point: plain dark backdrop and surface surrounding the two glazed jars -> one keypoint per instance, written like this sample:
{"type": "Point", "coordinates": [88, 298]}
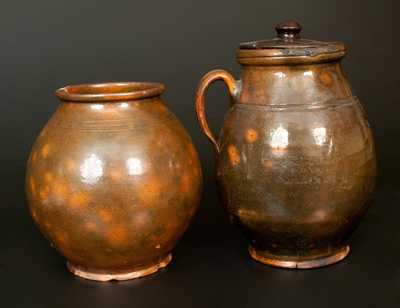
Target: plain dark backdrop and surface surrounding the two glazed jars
{"type": "Point", "coordinates": [49, 44]}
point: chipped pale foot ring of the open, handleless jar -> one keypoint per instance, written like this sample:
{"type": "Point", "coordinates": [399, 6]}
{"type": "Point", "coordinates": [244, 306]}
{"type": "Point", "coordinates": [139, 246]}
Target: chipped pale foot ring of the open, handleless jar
{"type": "Point", "coordinates": [107, 276]}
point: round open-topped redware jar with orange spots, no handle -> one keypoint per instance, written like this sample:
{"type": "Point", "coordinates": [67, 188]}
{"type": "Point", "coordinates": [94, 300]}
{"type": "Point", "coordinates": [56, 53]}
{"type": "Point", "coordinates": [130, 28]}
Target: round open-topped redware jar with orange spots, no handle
{"type": "Point", "coordinates": [113, 180]}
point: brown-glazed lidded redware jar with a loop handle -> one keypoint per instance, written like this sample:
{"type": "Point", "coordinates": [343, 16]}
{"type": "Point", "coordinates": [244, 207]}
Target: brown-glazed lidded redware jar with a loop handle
{"type": "Point", "coordinates": [295, 157]}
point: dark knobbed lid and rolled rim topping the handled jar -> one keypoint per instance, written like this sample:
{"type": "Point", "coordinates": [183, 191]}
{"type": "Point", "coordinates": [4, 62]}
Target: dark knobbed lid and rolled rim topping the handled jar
{"type": "Point", "coordinates": [288, 47]}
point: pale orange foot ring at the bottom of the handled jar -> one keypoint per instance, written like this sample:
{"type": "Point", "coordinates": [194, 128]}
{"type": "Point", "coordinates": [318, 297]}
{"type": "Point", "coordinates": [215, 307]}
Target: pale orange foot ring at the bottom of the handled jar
{"type": "Point", "coordinates": [300, 262]}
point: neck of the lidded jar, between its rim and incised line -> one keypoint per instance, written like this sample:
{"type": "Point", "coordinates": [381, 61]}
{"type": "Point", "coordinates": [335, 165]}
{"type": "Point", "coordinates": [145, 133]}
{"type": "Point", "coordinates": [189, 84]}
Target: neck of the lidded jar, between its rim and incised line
{"type": "Point", "coordinates": [293, 84]}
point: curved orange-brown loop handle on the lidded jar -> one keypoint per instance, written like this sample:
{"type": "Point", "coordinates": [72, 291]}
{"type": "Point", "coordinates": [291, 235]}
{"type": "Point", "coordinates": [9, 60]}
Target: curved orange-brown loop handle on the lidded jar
{"type": "Point", "coordinates": [205, 82]}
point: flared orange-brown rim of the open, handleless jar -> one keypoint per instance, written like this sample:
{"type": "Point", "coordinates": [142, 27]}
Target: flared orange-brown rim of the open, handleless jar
{"type": "Point", "coordinates": [109, 91]}
